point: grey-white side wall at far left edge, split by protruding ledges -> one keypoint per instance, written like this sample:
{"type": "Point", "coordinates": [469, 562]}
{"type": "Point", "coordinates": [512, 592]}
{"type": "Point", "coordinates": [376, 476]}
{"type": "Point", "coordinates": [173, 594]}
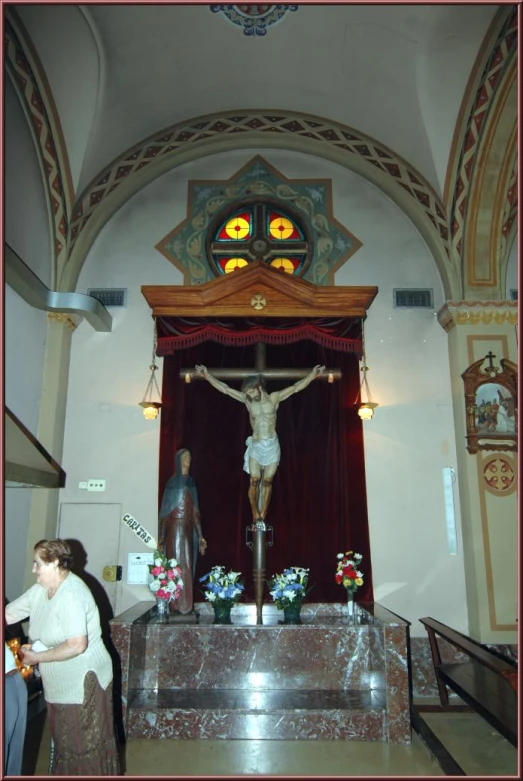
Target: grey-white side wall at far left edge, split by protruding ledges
{"type": "Point", "coordinates": [26, 230]}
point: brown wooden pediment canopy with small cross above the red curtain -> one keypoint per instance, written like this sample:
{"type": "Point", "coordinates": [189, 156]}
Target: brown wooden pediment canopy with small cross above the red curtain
{"type": "Point", "coordinates": [258, 290]}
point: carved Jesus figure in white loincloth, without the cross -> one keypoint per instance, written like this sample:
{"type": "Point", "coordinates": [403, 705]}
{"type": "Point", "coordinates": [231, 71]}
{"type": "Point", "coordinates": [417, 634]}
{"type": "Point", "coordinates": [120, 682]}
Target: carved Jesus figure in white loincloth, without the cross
{"type": "Point", "coordinates": [263, 448]}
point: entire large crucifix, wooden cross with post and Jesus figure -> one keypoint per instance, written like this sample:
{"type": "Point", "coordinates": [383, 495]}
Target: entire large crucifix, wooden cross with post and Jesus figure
{"type": "Point", "coordinates": [263, 452]}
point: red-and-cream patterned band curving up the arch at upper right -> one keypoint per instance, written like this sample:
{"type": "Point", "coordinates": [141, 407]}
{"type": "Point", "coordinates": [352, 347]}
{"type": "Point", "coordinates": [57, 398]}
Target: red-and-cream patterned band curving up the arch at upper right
{"type": "Point", "coordinates": [500, 57]}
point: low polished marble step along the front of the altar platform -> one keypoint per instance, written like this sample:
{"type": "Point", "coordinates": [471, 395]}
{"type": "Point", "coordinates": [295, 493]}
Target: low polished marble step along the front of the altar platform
{"type": "Point", "coordinates": [237, 714]}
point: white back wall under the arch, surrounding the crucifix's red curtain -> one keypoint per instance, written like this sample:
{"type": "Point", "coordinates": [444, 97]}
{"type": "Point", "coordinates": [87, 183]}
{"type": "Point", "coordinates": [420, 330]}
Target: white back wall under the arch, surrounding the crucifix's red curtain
{"type": "Point", "coordinates": [407, 444]}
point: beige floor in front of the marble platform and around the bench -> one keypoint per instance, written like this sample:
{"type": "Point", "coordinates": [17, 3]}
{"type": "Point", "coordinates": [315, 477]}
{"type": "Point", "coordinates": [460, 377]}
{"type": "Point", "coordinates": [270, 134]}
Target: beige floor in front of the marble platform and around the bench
{"type": "Point", "coordinates": [475, 746]}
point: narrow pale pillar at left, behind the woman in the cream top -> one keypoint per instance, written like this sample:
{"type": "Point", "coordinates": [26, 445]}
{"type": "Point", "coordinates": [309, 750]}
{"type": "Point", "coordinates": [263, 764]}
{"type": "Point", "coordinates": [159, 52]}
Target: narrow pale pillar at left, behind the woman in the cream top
{"type": "Point", "coordinates": [43, 522]}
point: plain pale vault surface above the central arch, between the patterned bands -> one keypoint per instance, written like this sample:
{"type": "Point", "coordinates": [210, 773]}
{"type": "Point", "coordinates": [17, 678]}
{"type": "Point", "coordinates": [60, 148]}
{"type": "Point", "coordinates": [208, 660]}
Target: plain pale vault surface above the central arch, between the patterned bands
{"type": "Point", "coordinates": [120, 73]}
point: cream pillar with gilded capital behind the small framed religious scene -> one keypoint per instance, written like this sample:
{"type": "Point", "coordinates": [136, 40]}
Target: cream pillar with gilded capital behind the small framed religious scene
{"type": "Point", "coordinates": [489, 511]}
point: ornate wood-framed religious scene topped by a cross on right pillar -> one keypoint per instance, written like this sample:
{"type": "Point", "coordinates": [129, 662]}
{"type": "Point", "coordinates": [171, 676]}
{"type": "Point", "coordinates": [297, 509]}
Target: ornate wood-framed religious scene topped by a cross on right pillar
{"type": "Point", "coordinates": [491, 400]}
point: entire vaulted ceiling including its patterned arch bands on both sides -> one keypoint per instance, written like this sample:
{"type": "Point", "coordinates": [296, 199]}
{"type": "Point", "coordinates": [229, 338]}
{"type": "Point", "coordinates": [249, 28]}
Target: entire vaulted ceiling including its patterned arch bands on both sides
{"type": "Point", "coordinates": [419, 99]}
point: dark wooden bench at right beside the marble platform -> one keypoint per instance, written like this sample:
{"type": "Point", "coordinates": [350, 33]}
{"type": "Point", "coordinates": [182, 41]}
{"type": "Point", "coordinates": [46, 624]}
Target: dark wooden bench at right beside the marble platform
{"type": "Point", "coordinates": [486, 683]}
